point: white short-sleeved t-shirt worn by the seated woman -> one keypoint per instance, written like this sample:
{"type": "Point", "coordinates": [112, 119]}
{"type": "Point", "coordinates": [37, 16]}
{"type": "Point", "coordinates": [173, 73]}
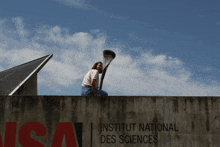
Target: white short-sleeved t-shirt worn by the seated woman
{"type": "Point", "coordinates": [92, 74]}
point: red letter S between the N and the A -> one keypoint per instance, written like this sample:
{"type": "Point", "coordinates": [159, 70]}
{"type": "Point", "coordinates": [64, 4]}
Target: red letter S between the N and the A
{"type": "Point", "coordinates": [24, 134]}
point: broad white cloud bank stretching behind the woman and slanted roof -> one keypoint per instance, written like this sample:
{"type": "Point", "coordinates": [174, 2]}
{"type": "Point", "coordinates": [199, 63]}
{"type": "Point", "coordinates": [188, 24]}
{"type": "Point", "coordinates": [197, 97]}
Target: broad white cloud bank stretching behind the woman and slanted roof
{"type": "Point", "coordinates": [74, 55]}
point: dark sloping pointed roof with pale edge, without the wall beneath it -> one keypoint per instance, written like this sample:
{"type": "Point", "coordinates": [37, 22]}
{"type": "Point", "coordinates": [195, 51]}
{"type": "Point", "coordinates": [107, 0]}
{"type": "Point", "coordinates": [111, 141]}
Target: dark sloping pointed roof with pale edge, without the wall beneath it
{"type": "Point", "coordinates": [12, 79]}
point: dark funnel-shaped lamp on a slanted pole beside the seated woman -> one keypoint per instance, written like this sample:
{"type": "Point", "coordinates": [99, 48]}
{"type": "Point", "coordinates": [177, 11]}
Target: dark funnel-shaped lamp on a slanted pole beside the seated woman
{"type": "Point", "coordinates": [108, 56]}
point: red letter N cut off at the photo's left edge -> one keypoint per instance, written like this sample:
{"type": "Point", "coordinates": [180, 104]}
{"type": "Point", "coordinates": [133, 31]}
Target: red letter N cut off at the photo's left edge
{"type": "Point", "coordinates": [10, 134]}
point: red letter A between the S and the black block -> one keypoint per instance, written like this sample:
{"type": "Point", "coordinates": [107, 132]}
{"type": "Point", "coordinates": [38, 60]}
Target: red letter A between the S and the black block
{"type": "Point", "coordinates": [62, 129]}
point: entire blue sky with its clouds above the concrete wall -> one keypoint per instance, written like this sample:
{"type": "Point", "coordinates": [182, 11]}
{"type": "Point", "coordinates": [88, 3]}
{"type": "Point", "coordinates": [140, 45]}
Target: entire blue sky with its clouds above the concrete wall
{"type": "Point", "coordinates": [168, 48]}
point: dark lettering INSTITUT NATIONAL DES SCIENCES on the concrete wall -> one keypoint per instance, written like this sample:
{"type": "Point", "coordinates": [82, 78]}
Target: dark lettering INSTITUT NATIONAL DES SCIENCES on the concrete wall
{"type": "Point", "coordinates": [129, 133]}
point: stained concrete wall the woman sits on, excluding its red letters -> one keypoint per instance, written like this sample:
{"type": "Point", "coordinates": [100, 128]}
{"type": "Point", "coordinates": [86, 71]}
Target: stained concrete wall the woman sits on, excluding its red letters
{"type": "Point", "coordinates": [119, 121]}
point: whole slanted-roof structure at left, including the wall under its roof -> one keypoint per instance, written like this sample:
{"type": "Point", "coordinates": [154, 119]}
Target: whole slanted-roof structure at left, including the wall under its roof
{"type": "Point", "coordinates": [22, 79]}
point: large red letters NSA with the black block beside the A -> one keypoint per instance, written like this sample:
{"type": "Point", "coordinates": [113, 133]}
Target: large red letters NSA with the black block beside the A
{"type": "Point", "coordinates": [72, 138]}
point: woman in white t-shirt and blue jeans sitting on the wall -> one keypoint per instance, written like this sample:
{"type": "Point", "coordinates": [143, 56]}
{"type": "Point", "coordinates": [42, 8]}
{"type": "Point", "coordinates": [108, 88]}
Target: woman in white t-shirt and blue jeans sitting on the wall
{"type": "Point", "coordinates": [91, 81]}
